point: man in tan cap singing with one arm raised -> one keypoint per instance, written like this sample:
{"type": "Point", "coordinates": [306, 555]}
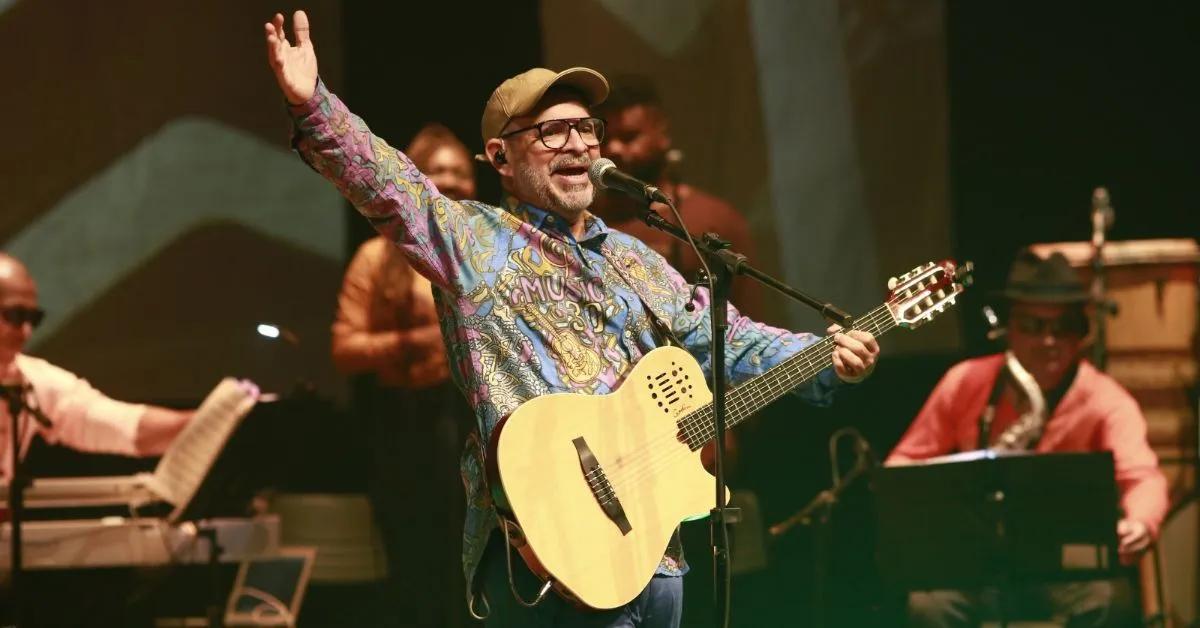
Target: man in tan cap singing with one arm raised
{"type": "Point", "coordinates": [536, 296]}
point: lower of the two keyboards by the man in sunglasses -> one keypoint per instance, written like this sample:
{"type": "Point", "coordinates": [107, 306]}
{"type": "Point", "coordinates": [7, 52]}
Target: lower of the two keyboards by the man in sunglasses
{"type": "Point", "coordinates": [123, 542]}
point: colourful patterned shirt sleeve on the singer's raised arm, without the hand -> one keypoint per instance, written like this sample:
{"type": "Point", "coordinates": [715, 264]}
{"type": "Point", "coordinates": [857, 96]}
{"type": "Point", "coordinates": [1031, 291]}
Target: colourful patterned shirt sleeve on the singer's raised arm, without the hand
{"type": "Point", "coordinates": [436, 234]}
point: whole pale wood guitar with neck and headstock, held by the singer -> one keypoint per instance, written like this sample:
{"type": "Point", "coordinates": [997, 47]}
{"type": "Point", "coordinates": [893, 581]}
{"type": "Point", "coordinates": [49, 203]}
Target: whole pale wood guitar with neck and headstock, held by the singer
{"type": "Point", "coordinates": [591, 488]}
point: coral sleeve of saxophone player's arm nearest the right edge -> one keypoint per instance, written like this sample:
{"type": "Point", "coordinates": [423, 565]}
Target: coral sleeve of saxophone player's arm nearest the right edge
{"type": "Point", "coordinates": [1144, 492]}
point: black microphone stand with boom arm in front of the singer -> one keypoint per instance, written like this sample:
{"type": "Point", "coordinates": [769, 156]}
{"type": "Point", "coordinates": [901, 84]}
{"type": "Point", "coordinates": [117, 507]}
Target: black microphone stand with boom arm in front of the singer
{"type": "Point", "coordinates": [723, 266]}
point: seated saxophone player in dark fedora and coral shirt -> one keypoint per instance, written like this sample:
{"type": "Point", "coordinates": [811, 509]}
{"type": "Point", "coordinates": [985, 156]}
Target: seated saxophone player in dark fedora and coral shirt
{"type": "Point", "coordinates": [980, 403]}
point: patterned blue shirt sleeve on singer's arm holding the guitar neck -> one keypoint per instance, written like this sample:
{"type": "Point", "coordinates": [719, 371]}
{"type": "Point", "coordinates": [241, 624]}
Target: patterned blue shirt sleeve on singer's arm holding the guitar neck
{"type": "Point", "coordinates": [752, 349]}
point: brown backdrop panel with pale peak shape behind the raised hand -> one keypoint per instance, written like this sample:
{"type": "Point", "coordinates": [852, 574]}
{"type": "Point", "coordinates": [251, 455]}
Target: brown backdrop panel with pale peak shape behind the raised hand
{"type": "Point", "coordinates": [148, 184]}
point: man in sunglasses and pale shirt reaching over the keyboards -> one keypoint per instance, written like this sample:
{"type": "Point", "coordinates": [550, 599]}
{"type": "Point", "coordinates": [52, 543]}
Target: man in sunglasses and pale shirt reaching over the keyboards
{"type": "Point", "coordinates": [81, 417]}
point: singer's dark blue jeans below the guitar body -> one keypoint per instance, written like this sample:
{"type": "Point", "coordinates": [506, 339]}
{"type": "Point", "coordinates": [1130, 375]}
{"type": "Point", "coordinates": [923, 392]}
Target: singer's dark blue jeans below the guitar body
{"type": "Point", "coordinates": [659, 606]}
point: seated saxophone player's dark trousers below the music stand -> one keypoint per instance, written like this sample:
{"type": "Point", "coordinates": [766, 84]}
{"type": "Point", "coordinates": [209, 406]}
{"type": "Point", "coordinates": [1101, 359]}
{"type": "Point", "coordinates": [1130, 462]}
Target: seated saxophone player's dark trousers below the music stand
{"type": "Point", "coordinates": [1078, 605]}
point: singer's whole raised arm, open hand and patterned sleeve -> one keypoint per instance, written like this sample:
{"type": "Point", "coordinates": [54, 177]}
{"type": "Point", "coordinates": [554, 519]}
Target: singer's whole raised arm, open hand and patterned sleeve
{"type": "Point", "coordinates": [381, 182]}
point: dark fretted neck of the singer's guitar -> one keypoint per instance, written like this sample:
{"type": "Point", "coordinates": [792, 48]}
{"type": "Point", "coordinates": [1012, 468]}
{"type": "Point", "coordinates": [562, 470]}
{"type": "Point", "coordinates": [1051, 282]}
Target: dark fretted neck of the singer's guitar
{"type": "Point", "coordinates": [749, 398]}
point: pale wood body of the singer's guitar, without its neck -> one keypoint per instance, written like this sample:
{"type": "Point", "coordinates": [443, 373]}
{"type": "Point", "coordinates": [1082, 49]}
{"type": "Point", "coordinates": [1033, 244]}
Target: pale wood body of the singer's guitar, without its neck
{"type": "Point", "coordinates": [647, 465]}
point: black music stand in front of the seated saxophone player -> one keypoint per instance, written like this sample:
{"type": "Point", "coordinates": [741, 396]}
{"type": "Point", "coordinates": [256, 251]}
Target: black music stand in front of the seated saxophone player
{"type": "Point", "coordinates": [986, 519]}
